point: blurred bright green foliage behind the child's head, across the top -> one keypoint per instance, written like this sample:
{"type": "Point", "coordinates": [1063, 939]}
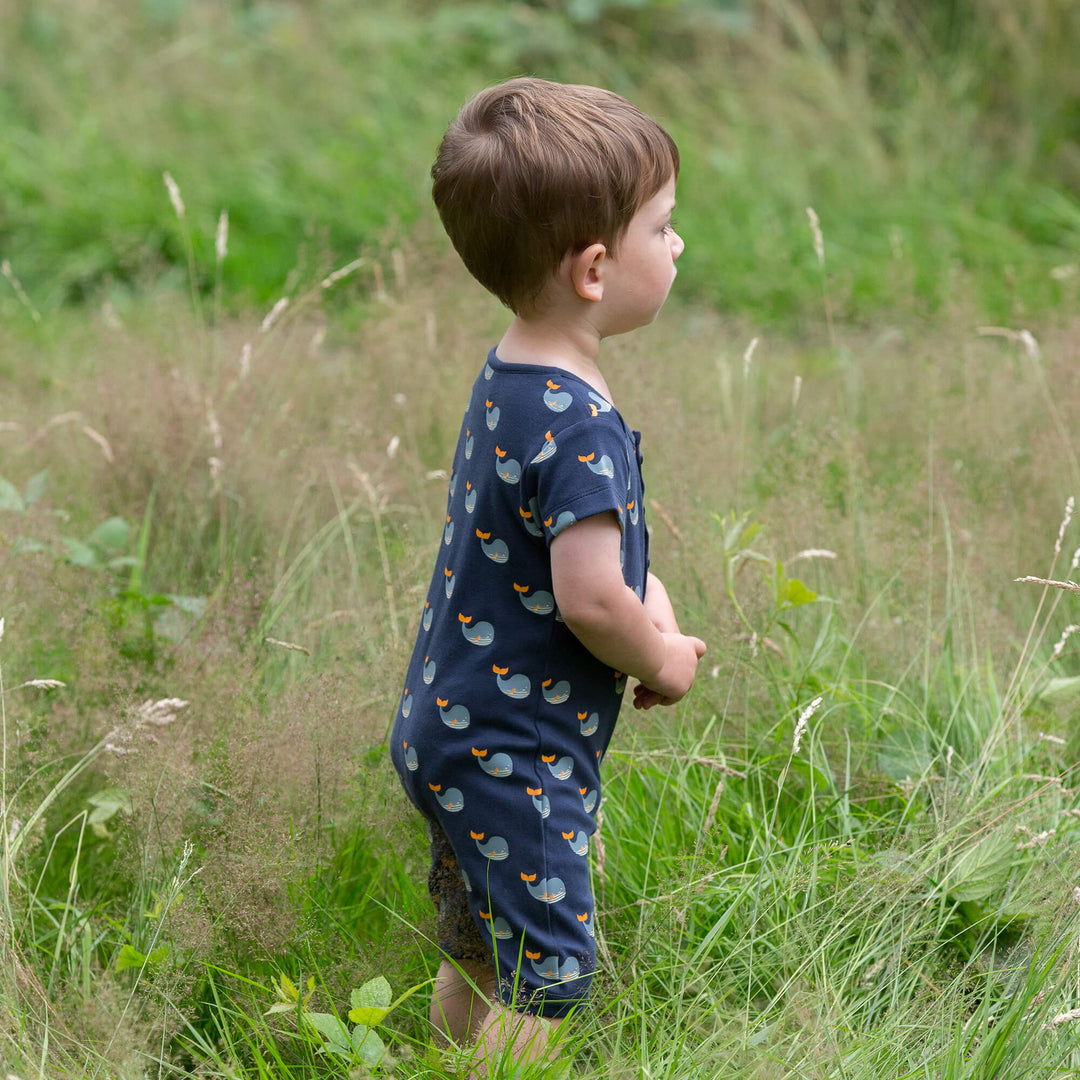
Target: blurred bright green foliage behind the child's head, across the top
{"type": "Point", "coordinates": [938, 140]}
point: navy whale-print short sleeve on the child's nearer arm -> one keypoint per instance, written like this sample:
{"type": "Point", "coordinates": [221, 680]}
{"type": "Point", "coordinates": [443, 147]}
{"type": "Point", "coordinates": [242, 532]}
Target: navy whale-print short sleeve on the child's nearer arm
{"type": "Point", "coordinates": [580, 471]}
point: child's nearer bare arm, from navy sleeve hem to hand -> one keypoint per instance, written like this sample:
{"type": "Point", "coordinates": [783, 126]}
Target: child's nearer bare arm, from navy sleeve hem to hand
{"type": "Point", "coordinates": [609, 618]}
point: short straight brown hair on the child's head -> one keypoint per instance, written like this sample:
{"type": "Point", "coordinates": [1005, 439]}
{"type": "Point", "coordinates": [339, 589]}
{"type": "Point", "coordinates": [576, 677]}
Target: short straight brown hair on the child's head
{"type": "Point", "coordinates": [533, 170]}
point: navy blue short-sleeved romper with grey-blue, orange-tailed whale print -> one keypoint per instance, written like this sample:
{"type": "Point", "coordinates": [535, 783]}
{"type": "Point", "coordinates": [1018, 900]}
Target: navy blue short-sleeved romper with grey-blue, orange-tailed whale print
{"type": "Point", "coordinates": [506, 717]}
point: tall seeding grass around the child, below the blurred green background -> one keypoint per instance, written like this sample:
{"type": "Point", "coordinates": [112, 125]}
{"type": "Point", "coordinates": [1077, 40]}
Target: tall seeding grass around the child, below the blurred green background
{"type": "Point", "coordinates": [890, 894]}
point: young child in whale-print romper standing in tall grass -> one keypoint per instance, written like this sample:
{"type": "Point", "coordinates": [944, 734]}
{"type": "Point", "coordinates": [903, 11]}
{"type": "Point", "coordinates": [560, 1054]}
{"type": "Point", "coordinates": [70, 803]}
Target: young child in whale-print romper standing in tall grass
{"type": "Point", "coordinates": [559, 200]}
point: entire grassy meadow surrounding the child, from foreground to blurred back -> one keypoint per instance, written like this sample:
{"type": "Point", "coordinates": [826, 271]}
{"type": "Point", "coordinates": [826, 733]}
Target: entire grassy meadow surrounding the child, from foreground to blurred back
{"type": "Point", "coordinates": [854, 850]}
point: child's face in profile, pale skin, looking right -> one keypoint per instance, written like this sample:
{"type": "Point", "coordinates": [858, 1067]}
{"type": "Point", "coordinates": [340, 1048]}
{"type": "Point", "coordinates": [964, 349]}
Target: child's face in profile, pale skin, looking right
{"type": "Point", "coordinates": [638, 280]}
